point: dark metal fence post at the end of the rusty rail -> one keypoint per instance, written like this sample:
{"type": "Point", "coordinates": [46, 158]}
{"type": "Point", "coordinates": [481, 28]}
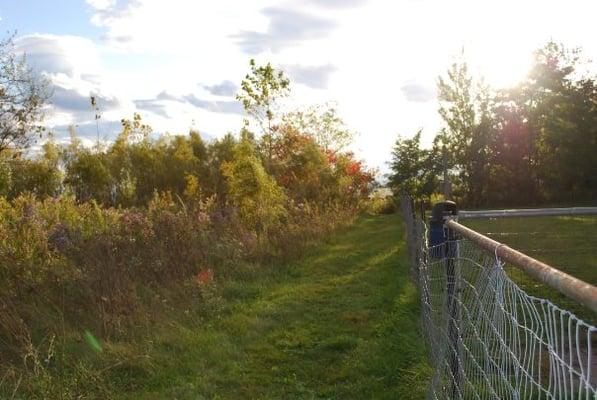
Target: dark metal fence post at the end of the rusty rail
{"type": "Point", "coordinates": [443, 235]}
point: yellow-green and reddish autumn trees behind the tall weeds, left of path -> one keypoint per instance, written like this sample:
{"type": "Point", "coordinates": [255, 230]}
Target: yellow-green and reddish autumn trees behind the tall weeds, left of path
{"type": "Point", "coordinates": [296, 157]}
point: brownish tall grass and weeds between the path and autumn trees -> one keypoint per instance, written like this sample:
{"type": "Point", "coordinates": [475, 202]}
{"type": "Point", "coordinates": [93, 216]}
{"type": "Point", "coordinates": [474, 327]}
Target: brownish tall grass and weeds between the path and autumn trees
{"type": "Point", "coordinates": [71, 273]}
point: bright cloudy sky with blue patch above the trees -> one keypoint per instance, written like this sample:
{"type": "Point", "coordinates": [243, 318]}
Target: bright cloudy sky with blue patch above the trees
{"type": "Point", "coordinates": [179, 63]}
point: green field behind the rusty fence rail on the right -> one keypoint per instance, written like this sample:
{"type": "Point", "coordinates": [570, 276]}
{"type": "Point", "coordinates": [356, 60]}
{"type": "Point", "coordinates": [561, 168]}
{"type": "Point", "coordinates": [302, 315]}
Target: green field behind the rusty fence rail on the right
{"type": "Point", "coordinates": [566, 243]}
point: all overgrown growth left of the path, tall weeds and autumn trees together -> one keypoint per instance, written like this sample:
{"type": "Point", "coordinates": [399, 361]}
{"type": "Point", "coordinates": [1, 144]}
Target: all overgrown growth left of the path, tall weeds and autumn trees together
{"type": "Point", "coordinates": [98, 243]}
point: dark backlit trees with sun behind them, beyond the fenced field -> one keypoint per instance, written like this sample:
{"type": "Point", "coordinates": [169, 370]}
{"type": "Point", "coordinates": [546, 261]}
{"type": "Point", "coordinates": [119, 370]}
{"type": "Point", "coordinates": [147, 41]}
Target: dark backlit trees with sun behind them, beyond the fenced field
{"type": "Point", "coordinates": [531, 144]}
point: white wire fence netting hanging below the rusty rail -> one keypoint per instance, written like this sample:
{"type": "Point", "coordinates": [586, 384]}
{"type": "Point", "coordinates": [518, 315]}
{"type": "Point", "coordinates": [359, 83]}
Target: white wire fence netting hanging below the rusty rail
{"type": "Point", "coordinates": [489, 339]}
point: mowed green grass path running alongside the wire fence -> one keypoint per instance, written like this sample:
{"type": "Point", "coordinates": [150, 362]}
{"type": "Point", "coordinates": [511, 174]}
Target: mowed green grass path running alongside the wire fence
{"type": "Point", "coordinates": [343, 323]}
